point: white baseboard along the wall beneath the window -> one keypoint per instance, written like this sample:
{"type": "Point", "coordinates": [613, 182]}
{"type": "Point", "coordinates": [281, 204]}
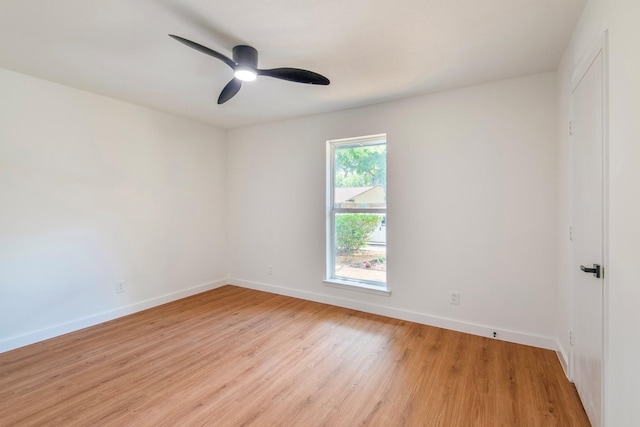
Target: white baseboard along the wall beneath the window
{"type": "Point", "coordinates": [402, 314]}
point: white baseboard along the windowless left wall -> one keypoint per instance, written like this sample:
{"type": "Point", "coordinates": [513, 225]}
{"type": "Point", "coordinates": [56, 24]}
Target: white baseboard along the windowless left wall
{"type": "Point", "coordinates": [94, 319]}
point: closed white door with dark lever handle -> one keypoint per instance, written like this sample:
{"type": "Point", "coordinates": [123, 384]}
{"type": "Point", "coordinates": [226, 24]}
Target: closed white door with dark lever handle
{"type": "Point", "coordinates": [587, 142]}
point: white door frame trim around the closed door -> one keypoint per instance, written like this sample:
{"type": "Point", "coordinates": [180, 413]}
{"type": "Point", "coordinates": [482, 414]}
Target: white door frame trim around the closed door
{"type": "Point", "coordinates": [600, 46]}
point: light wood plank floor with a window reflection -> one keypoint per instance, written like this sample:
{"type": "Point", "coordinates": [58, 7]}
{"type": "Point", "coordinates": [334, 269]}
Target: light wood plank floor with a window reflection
{"type": "Point", "coordinates": [236, 357]}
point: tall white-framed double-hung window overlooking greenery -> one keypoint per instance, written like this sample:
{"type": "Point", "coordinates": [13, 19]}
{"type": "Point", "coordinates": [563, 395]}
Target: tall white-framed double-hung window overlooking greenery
{"type": "Point", "coordinates": [356, 212]}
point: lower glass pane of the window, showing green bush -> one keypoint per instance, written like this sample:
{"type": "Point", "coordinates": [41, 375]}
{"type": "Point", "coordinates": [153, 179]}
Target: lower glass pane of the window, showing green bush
{"type": "Point", "coordinates": [360, 247]}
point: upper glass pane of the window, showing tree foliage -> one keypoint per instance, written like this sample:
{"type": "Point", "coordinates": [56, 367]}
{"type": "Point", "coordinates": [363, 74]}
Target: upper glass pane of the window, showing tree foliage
{"type": "Point", "coordinates": [360, 176]}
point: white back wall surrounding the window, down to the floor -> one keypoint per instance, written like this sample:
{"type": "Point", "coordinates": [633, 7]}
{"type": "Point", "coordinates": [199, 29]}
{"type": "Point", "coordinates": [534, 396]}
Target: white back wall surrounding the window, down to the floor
{"type": "Point", "coordinates": [472, 178]}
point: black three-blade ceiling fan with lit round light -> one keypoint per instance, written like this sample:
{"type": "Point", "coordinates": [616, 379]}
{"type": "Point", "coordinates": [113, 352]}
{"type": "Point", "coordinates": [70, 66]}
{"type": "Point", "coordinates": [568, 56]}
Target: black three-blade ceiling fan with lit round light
{"type": "Point", "coordinates": [245, 67]}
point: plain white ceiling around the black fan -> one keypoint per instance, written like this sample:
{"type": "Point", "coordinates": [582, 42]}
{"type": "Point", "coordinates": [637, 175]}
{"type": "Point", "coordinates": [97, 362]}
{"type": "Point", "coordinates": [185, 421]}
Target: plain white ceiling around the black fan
{"type": "Point", "coordinates": [371, 50]}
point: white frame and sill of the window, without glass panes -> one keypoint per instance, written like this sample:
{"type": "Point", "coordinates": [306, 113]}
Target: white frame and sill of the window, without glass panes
{"type": "Point", "coordinates": [331, 279]}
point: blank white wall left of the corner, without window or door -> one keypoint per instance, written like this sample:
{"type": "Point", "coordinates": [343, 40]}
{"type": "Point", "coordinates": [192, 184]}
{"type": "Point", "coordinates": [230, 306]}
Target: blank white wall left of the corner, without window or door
{"type": "Point", "coordinates": [94, 191]}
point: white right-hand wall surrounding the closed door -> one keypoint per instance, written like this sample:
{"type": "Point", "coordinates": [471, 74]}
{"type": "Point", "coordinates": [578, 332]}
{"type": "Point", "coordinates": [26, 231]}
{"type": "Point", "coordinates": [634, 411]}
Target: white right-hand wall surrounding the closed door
{"type": "Point", "coordinates": [622, 376]}
